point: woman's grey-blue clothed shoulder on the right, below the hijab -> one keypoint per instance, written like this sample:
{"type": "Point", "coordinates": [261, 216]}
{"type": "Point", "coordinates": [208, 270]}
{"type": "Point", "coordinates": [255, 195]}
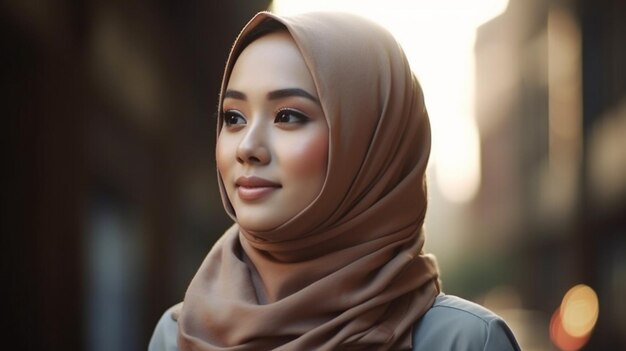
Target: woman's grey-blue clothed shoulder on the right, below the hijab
{"type": "Point", "coordinates": [453, 323]}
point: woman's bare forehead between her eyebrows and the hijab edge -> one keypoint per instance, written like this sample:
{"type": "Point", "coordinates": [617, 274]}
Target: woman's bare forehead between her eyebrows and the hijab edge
{"type": "Point", "coordinates": [271, 61]}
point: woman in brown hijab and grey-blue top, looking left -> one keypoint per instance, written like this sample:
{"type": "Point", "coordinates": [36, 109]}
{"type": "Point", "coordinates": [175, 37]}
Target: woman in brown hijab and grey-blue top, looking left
{"type": "Point", "coordinates": [323, 141]}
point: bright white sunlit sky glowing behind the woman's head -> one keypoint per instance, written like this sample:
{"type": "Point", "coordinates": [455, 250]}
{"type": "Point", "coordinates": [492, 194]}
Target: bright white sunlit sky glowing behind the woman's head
{"type": "Point", "coordinates": [438, 38]}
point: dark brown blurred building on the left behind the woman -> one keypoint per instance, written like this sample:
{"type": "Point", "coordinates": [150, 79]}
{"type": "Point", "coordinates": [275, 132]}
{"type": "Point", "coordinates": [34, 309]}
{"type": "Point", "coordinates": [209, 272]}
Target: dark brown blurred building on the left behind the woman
{"type": "Point", "coordinates": [109, 199]}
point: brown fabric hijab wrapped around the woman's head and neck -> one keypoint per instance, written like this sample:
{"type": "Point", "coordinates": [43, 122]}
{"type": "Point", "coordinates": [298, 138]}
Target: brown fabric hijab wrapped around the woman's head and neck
{"type": "Point", "coordinates": [349, 271]}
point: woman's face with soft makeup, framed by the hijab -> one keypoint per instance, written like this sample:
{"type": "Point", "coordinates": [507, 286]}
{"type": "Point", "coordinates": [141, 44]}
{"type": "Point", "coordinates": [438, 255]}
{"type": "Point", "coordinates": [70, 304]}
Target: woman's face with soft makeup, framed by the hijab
{"type": "Point", "coordinates": [272, 151]}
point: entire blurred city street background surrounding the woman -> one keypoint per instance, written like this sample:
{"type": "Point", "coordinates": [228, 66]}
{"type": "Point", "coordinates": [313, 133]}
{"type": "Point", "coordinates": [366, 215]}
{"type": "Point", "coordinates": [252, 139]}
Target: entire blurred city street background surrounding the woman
{"type": "Point", "coordinates": [110, 200]}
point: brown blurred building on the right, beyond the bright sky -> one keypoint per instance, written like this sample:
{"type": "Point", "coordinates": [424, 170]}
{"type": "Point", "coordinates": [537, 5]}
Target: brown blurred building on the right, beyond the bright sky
{"type": "Point", "coordinates": [551, 109]}
